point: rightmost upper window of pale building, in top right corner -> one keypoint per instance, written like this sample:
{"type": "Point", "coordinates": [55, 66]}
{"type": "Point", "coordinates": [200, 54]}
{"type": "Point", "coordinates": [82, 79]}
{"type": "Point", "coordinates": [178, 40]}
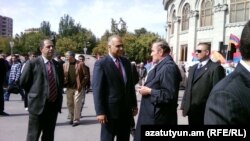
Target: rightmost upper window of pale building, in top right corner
{"type": "Point", "coordinates": [239, 10]}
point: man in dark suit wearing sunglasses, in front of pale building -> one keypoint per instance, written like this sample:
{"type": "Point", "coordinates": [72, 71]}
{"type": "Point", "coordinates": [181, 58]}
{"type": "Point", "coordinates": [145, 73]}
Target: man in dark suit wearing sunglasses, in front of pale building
{"type": "Point", "coordinates": [202, 78]}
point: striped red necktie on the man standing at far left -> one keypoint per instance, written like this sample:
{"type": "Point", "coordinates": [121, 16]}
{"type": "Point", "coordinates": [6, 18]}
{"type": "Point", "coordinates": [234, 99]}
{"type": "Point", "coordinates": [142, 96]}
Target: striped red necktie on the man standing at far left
{"type": "Point", "coordinates": [52, 83]}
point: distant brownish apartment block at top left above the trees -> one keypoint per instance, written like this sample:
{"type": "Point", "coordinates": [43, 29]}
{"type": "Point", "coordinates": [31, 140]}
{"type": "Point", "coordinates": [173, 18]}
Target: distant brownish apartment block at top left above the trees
{"type": "Point", "coordinates": [6, 26]}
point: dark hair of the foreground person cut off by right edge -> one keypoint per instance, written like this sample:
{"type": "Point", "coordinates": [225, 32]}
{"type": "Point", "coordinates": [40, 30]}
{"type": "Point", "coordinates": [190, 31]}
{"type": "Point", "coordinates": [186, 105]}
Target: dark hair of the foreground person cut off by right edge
{"type": "Point", "coordinates": [245, 42]}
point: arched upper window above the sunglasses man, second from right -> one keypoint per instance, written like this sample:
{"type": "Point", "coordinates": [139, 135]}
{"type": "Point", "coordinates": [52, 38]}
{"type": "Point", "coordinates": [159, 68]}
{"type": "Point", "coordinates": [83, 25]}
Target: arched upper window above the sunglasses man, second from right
{"type": "Point", "coordinates": [206, 16]}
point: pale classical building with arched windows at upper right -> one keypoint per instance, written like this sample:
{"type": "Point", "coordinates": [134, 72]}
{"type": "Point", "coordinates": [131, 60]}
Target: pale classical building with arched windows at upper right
{"type": "Point", "coordinates": [190, 22]}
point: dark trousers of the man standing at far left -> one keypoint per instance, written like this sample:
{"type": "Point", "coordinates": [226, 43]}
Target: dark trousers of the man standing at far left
{"type": "Point", "coordinates": [44, 123]}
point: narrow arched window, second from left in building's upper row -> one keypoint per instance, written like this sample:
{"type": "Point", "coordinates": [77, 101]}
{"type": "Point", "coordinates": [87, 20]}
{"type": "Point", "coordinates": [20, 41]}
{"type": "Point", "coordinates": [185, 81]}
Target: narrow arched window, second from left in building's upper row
{"type": "Point", "coordinates": [185, 18]}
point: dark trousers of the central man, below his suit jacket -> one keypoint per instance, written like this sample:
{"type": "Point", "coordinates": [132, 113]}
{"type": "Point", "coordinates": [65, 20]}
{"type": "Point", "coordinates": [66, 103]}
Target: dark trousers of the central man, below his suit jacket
{"type": "Point", "coordinates": [119, 128]}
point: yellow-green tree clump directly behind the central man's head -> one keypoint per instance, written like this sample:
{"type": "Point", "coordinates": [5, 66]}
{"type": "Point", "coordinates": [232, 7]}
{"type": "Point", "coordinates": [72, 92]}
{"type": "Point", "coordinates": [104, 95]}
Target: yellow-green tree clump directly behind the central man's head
{"type": "Point", "coordinates": [137, 45]}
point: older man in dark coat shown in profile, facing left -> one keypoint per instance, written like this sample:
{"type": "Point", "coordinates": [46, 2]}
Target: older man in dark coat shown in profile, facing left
{"type": "Point", "coordinates": [160, 91]}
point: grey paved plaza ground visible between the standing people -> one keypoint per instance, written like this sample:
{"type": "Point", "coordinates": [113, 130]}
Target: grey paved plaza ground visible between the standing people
{"type": "Point", "coordinates": [14, 127]}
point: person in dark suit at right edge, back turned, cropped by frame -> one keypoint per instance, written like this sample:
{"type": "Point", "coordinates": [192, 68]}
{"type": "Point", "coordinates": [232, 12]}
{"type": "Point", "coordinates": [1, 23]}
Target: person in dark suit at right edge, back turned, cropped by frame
{"type": "Point", "coordinates": [229, 101]}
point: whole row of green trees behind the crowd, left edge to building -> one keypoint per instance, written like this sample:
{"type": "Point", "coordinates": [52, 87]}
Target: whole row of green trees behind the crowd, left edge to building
{"type": "Point", "coordinates": [74, 37]}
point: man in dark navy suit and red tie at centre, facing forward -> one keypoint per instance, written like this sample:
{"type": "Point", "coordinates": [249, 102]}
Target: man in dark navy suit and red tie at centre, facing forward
{"type": "Point", "coordinates": [114, 92]}
